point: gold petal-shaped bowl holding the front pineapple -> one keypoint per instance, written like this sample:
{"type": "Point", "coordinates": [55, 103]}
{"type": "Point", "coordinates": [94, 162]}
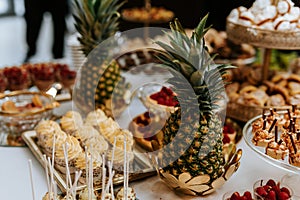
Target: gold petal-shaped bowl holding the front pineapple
{"type": "Point", "coordinates": [202, 185]}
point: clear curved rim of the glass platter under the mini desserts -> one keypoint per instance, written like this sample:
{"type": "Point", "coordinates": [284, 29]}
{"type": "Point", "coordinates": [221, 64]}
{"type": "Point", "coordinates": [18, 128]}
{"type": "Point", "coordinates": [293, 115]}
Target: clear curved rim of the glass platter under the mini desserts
{"type": "Point", "coordinates": [260, 151]}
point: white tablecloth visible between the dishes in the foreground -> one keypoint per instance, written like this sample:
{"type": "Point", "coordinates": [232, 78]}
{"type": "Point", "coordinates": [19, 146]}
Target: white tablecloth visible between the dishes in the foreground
{"type": "Point", "coordinates": [15, 175]}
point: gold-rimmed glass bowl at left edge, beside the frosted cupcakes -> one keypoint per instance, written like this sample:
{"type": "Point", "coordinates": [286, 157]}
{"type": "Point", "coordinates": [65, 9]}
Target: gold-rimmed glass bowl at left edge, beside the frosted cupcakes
{"type": "Point", "coordinates": [22, 110]}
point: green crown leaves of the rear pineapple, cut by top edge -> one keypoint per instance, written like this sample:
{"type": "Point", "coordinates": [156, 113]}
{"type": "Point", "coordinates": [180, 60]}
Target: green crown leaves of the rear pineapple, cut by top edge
{"type": "Point", "coordinates": [95, 21]}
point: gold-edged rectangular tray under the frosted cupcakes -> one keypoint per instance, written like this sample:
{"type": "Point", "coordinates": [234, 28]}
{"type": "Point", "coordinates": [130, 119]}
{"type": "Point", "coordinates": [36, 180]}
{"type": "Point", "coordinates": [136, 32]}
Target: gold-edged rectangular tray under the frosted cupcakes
{"type": "Point", "coordinates": [141, 167]}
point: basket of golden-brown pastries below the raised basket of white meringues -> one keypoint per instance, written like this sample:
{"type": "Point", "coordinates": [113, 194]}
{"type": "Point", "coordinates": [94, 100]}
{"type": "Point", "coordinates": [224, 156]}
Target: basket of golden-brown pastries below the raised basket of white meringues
{"type": "Point", "coordinates": [248, 95]}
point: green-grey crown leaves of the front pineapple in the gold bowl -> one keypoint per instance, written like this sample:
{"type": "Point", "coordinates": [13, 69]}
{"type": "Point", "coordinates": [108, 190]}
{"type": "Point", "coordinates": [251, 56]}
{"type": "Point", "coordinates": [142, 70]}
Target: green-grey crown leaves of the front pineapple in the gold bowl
{"type": "Point", "coordinates": [188, 56]}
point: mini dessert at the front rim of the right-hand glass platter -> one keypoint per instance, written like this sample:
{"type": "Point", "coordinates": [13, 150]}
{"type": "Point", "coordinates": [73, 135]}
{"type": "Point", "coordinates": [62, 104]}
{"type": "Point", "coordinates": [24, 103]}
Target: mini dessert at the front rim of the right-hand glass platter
{"type": "Point", "coordinates": [277, 150]}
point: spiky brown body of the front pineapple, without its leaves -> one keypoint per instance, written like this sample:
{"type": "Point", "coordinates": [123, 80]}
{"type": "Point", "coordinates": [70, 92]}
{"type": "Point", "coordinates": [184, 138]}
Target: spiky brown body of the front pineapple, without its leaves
{"type": "Point", "coordinates": [193, 146]}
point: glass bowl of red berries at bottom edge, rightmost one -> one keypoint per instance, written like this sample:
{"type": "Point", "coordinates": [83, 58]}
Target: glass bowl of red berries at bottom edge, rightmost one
{"type": "Point", "coordinates": [263, 188]}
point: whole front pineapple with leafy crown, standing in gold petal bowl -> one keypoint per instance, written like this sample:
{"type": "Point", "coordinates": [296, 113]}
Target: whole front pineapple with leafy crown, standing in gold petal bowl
{"type": "Point", "coordinates": [192, 142]}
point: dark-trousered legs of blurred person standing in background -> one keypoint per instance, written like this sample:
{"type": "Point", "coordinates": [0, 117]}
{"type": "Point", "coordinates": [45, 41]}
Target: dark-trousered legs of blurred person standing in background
{"type": "Point", "coordinates": [34, 12]}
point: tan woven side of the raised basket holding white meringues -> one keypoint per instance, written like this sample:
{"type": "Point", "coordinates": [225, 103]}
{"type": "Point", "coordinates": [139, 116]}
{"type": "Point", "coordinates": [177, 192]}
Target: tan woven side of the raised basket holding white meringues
{"type": "Point", "coordinates": [287, 40]}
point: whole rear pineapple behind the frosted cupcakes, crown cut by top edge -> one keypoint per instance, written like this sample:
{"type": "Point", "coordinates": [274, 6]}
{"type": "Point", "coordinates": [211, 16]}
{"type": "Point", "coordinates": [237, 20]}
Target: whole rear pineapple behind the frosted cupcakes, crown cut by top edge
{"type": "Point", "coordinates": [96, 21]}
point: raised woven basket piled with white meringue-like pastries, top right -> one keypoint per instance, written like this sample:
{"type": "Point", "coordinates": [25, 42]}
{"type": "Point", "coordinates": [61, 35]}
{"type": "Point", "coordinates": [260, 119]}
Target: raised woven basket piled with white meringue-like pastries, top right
{"type": "Point", "coordinates": [266, 24]}
